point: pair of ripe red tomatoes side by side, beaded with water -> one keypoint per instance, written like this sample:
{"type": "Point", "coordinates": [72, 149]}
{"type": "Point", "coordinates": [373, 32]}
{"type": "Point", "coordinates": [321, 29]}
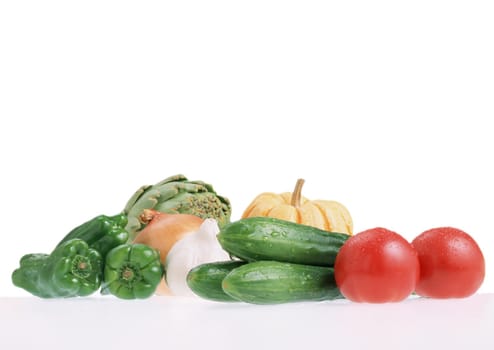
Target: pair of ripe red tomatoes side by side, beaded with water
{"type": "Point", "coordinates": [379, 265]}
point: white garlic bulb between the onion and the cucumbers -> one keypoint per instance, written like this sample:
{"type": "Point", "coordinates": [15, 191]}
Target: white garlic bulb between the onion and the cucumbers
{"type": "Point", "coordinates": [193, 249]}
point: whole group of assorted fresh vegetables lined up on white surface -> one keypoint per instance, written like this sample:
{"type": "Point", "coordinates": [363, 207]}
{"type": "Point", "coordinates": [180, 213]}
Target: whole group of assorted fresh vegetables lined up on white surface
{"type": "Point", "coordinates": [176, 238]}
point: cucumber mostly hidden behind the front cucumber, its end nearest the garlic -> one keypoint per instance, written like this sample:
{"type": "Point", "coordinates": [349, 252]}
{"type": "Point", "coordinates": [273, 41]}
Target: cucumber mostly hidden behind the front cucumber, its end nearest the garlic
{"type": "Point", "coordinates": [205, 280]}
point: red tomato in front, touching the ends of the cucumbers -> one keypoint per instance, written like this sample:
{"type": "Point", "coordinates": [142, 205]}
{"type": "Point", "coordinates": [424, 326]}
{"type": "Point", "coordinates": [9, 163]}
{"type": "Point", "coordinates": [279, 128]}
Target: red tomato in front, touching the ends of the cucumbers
{"type": "Point", "coordinates": [376, 266]}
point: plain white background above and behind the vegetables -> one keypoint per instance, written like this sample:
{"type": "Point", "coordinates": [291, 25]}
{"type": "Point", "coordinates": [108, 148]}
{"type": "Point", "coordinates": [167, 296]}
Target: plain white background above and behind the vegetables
{"type": "Point", "coordinates": [385, 106]}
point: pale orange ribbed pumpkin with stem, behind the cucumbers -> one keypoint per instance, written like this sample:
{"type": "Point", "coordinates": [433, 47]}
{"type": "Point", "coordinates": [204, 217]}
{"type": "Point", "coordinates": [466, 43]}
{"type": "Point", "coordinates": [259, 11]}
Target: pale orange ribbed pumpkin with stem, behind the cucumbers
{"type": "Point", "coordinates": [324, 214]}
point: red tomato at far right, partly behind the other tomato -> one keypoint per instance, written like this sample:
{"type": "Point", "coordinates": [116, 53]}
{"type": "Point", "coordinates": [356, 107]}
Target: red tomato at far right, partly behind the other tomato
{"type": "Point", "coordinates": [451, 263]}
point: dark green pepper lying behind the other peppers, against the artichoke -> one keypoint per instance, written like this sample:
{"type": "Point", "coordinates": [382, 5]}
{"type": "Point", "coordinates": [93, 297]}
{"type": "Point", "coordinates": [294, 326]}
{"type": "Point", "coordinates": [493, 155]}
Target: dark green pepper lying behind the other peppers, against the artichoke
{"type": "Point", "coordinates": [102, 233]}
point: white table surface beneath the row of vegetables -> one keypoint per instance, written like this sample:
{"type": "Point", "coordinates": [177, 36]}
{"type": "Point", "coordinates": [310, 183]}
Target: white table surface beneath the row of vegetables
{"type": "Point", "coordinates": [169, 323]}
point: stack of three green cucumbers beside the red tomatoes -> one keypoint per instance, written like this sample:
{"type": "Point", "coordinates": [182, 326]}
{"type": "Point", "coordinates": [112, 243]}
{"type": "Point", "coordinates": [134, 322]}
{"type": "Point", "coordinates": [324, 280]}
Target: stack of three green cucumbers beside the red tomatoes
{"type": "Point", "coordinates": [280, 261]}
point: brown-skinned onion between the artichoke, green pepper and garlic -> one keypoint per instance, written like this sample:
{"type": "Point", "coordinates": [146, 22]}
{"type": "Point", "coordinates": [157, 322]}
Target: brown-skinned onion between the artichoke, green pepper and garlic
{"type": "Point", "coordinates": [162, 232]}
